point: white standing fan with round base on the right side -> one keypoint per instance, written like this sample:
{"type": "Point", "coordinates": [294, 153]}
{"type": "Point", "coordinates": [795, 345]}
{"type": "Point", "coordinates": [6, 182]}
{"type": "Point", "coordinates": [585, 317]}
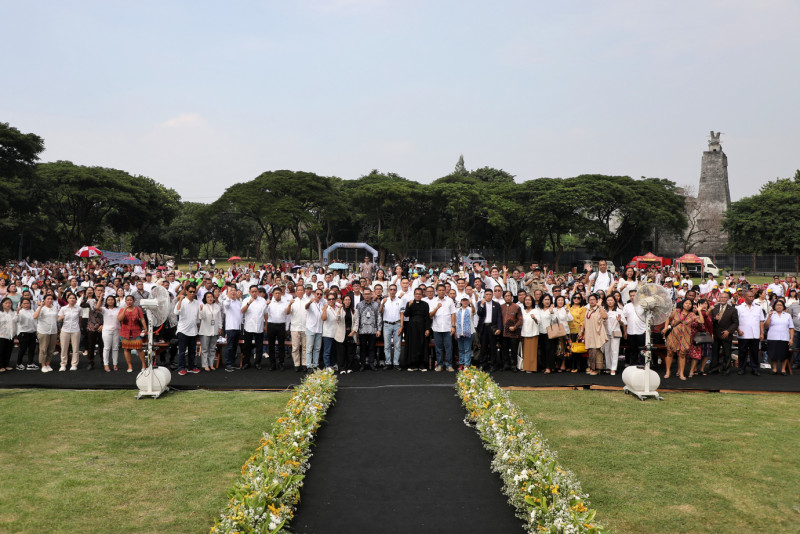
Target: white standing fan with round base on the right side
{"type": "Point", "coordinates": [656, 305]}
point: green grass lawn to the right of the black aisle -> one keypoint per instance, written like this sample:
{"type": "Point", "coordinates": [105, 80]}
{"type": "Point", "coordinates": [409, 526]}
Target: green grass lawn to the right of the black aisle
{"type": "Point", "coordinates": [691, 463]}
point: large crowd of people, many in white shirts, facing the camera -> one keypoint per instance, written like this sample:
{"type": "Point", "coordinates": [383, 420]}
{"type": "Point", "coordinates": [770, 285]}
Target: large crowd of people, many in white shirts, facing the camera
{"type": "Point", "coordinates": [396, 318]}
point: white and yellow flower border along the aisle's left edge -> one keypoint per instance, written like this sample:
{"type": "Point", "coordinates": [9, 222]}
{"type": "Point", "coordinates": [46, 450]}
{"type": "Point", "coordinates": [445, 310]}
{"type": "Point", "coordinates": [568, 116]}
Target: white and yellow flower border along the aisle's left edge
{"type": "Point", "coordinates": [265, 497]}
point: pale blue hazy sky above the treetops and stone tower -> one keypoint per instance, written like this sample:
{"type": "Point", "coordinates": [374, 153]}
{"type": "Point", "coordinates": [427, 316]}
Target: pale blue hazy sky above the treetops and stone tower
{"type": "Point", "coordinates": [200, 95]}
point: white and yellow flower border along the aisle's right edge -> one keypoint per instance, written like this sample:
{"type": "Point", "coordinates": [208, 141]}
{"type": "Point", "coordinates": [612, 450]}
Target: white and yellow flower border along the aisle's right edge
{"type": "Point", "coordinates": [547, 497]}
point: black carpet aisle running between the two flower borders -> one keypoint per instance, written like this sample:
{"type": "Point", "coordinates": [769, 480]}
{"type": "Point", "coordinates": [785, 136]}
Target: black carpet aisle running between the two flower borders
{"type": "Point", "coordinates": [400, 459]}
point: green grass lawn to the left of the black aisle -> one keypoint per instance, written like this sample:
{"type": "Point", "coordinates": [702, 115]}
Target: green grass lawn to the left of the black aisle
{"type": "Point", "coordinates": [101, 461]}
